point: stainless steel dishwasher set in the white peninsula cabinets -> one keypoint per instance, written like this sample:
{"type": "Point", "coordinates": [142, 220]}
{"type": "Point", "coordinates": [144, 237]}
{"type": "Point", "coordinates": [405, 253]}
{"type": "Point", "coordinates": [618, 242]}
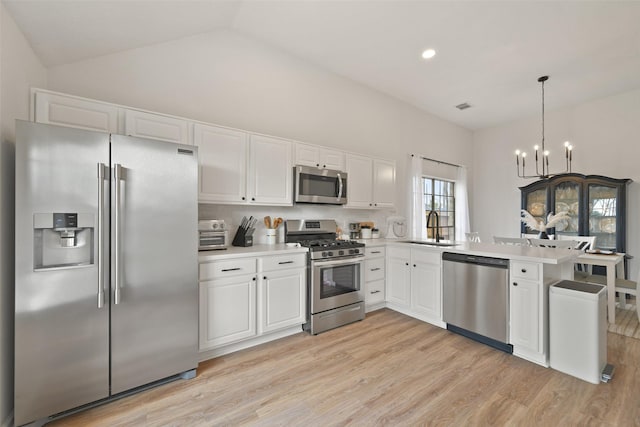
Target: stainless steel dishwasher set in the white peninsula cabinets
{"type": "Point", "coordinates": [476, 298]}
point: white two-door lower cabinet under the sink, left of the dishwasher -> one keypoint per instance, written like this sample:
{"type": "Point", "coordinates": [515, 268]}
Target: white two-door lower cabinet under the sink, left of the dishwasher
{"type": "Point", "coordinates": [413, 283]}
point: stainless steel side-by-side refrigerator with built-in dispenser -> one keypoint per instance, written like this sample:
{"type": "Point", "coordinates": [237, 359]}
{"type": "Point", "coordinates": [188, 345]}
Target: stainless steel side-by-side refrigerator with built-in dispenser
{"type": "Point", "coordinates": [106, 266]}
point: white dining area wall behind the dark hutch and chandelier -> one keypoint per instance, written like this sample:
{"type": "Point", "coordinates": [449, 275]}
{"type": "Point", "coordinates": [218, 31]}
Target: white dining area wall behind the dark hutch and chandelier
{"type": "Point", "coordinates": [605, 133]}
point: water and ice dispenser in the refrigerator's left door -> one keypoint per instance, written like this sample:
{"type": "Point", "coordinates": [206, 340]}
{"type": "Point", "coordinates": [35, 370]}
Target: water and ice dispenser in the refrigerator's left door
{"type": "Point", "coordinates": [63, 240]}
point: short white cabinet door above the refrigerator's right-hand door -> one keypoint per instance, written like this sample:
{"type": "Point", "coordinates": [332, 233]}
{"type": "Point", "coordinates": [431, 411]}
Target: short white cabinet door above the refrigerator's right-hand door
{"type": "Point", "coordinates": [156, 126]}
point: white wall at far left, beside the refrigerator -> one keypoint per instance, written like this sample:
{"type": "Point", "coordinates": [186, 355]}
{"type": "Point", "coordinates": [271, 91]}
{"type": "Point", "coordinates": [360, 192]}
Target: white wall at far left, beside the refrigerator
{"type": "Point", "coordinates": [19, 69]}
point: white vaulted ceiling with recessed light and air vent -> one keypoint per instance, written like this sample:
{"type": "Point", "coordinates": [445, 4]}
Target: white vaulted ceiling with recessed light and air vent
{"type": "Point", "coordinates": [489, 54]}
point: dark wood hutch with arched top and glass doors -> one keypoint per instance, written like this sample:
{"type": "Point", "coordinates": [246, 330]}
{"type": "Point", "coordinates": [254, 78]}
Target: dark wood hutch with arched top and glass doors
{"type": "Point", "coordinates": [597, 206]}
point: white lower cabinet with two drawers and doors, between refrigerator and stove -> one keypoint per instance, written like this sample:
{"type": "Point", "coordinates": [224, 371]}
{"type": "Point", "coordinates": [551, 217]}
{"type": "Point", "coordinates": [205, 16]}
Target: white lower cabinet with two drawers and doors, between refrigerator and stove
{"type": "Point", "coordinates": [250, 300]}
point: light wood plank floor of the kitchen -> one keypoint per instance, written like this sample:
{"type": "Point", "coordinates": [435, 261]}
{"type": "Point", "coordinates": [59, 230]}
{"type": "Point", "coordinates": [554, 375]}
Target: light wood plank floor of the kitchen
{"type": "Point", "coordinates": [386, 370]}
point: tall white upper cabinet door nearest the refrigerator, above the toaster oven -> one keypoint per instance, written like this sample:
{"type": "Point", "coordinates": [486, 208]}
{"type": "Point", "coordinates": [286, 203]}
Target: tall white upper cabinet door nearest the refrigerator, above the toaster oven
{"type": "Point", "coordinates": [222, 159]}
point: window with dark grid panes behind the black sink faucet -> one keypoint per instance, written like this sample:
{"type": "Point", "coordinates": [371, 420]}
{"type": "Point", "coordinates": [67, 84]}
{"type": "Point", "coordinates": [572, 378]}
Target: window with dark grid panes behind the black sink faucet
{"type": "Point", "coordinates": [439, 196]}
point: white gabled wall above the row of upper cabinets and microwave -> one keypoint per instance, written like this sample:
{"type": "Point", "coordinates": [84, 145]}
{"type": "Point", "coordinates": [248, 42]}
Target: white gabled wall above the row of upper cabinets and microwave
{"type": "Point", "coordinates": [233, 80]}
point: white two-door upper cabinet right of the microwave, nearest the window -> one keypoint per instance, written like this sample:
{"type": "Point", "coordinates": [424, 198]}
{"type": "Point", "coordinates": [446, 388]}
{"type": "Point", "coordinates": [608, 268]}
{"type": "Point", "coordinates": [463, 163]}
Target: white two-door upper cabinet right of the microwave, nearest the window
{"type": "Point", "coordinates": [370, 182]}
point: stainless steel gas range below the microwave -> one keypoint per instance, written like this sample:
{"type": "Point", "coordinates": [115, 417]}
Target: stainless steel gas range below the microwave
{"type": "Point", "coordinates": [335, 294]}
